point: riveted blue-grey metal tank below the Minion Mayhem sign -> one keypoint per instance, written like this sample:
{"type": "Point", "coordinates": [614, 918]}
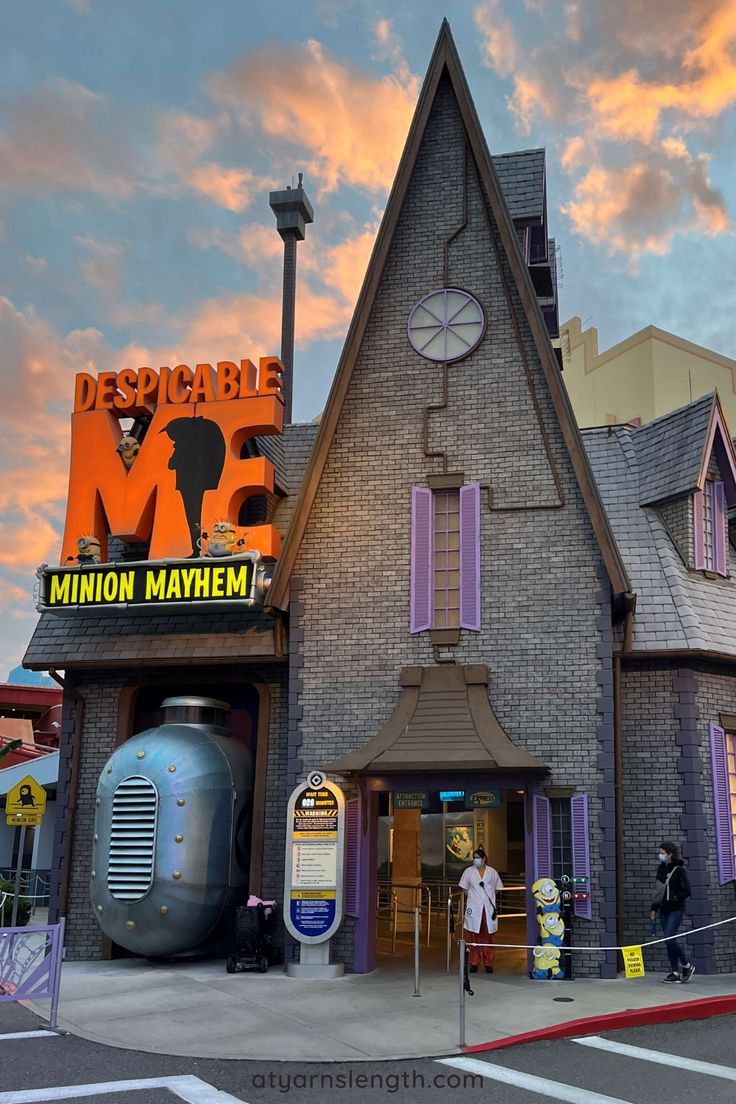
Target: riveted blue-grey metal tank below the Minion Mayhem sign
{"type": "Point", "coordinates": [173, 824]}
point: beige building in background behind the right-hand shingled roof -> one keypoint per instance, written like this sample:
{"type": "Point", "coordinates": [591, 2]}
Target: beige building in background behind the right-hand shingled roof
{"type": "Point", "coordinates": [648, 375]}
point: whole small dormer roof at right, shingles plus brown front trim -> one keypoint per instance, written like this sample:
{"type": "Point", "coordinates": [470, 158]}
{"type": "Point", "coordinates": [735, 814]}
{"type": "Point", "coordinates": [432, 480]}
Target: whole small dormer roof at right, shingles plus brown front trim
{"type": "Point", "coordinates": [674, 452]}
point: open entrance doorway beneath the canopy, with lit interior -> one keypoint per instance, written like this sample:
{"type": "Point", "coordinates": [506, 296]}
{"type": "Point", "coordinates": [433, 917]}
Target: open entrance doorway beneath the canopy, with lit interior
{"type": "Point", "coordinates": [425, 840]}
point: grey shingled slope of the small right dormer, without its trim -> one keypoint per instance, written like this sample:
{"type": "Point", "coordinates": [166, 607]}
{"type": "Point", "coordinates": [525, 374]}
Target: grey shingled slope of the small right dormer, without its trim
{"type": "Point", "coordinates": [670, 451]}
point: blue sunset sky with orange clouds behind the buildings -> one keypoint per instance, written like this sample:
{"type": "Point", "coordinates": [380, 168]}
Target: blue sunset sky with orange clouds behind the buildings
{"type": "Point", "coordinates": [140, 141]}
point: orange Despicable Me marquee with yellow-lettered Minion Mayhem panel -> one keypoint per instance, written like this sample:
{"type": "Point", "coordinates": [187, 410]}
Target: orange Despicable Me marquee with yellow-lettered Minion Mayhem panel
{"type": "Point", "coordinates": [176, 480]}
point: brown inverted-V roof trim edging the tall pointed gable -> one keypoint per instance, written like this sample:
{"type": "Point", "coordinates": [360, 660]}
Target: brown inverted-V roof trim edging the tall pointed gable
{"type": "Point", "coordinates": [445, 61]}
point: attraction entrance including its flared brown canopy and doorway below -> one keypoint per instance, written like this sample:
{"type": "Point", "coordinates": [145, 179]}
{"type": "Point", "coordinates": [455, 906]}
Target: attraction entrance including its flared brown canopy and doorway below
{"type": "Point", "coordinates": [440, 779]}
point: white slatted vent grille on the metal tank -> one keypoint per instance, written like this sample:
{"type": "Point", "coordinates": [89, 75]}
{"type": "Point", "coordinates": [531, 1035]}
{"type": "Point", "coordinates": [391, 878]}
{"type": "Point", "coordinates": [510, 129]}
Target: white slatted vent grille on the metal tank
{"type": "Point", "coordinates": [133, 840]}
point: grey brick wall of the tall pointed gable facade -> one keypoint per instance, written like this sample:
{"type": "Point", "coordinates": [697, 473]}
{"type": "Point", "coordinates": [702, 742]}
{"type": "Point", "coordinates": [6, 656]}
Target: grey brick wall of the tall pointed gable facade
{"type": "Point", "coordinates": [546, 621]}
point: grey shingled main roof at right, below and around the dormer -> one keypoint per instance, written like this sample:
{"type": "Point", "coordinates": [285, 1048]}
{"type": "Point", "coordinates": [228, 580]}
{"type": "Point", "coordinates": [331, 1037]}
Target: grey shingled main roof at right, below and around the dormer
{"type": "Point", "coordinates": [677, 609]}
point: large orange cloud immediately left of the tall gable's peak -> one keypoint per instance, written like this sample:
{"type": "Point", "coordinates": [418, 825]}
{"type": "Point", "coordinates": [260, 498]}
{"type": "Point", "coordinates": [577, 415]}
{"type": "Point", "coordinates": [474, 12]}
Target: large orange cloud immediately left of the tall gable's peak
{"type": "Point", "coordinates": [351, 125]}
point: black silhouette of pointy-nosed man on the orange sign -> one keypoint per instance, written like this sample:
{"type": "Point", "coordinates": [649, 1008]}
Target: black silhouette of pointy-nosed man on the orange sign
{"type": "Point", "coordinates": [198, 459]}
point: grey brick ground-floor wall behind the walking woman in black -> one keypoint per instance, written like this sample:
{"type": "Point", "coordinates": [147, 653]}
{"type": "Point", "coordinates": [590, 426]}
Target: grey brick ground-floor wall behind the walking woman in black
{"type": "Point", "coordinates": [668, 794]}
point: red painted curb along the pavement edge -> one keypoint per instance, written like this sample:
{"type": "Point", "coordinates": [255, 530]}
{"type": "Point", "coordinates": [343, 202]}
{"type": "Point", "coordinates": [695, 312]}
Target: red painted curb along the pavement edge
{"type": "Point", "coordinates": [615, 1022]}
